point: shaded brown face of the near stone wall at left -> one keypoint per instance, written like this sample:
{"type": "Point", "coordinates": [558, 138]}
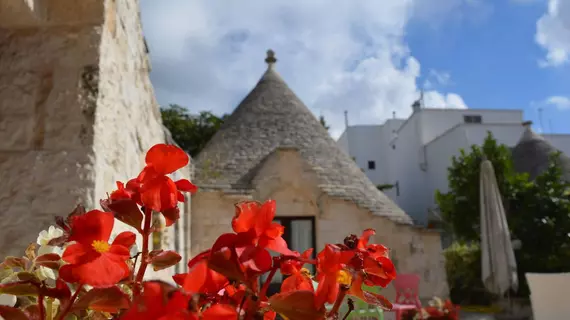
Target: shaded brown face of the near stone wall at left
{"type": "Point", "coordinates": [47, 106]}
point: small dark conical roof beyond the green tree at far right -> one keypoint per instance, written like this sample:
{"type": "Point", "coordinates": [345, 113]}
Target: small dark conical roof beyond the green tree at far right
{"type": "Point", "coordinates": [532, 155]}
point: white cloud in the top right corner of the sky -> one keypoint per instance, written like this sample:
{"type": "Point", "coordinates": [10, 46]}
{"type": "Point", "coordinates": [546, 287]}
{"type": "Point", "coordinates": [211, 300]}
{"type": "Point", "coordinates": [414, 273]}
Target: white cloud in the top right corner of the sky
{"type": "Point", "coordinates": [553, 33]}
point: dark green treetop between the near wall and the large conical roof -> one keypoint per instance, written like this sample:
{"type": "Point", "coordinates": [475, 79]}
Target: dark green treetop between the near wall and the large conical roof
{"type": "Point", "coordinates": [191, 131]}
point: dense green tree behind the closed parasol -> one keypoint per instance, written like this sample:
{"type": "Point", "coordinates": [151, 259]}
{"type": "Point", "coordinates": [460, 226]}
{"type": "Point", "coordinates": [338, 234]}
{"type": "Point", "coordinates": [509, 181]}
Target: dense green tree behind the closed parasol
{"type": "Point", "coordinates": [538, 213]}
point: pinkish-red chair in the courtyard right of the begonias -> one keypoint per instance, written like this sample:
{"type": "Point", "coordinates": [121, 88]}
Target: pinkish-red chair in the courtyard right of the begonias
{"type": "Point", "coordinates": [407, 294]}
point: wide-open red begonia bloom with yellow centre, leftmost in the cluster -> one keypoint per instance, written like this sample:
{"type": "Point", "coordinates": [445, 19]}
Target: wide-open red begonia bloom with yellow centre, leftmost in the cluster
{"type": "Point", "coordinates": [92, 260]}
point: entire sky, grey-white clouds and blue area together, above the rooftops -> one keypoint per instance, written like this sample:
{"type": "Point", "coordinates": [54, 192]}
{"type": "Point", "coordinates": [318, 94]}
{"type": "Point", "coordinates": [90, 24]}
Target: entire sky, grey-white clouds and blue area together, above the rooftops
{"type": "Point", "coordinates": [369, 57]}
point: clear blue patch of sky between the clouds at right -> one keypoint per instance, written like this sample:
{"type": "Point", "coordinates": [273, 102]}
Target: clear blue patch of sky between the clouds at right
{"type": "Point", "coordinates": [494, 62]}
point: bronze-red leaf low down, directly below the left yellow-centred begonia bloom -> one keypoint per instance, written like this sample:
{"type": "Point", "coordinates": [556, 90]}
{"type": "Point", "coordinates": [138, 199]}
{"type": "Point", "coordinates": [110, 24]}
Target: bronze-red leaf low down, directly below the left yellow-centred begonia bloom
{"type": "Point", "coordinates": [103, 299]}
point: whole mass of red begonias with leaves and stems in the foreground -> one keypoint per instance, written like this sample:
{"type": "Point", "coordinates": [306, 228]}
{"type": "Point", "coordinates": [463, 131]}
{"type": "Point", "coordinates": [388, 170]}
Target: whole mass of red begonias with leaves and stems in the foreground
{"type": "Point", "coordinates": [223, 282]}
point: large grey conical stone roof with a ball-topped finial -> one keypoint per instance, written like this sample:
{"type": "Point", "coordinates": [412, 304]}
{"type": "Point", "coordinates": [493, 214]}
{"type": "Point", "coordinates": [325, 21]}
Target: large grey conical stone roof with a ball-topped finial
{"type": "Point", "coordinates": [271, 117]}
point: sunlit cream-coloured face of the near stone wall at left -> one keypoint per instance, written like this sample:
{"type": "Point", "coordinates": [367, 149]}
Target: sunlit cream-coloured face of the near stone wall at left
{"type": "Point", "coordinates": [127, 120]}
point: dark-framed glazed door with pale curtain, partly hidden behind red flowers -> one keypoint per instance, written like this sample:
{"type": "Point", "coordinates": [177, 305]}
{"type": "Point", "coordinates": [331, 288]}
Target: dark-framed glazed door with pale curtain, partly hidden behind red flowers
{"type": "Point", "coordinates": [300, 235]}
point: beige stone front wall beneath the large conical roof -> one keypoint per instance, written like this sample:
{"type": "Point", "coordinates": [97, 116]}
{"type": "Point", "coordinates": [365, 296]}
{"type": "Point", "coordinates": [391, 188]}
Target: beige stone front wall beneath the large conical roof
{"type": "Point", "coordinates": [286, 178]}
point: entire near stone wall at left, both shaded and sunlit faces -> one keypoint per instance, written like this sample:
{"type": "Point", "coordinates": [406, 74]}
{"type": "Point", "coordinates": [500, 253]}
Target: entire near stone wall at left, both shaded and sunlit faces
{"type": "Point", "coordinates": [77, 111]}
